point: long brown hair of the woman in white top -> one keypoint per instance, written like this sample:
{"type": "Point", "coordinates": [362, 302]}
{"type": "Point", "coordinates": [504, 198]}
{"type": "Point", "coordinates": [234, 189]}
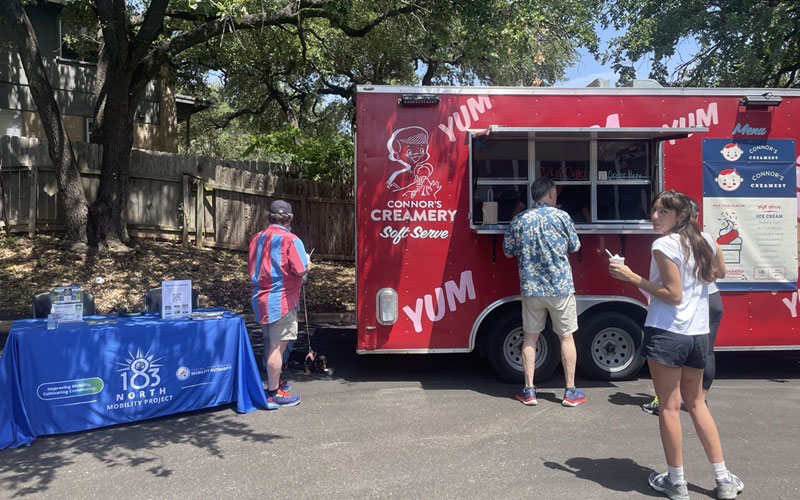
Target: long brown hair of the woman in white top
{"type": "Point", "coordinates": [689, 232]}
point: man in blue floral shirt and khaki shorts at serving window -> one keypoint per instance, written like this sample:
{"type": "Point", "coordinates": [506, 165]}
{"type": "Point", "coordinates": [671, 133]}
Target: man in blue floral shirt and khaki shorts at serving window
{"type": "Point", "coordinates": [540, 238]}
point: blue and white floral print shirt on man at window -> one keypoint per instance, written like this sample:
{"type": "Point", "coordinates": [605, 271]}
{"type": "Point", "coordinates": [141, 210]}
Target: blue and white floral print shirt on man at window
{"type": "Point", "coordinates": [540, 238]}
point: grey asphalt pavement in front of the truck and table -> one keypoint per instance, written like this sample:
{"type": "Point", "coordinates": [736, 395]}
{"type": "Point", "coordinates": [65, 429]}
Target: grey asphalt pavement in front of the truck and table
{"type": "Point", "coordinates": [426, 427]}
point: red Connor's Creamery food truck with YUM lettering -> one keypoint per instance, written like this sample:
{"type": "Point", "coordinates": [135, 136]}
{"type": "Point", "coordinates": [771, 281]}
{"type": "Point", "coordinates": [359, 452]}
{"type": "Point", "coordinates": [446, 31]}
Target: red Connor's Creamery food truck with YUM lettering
{"type": "Point", "coordinates": [441, 171]}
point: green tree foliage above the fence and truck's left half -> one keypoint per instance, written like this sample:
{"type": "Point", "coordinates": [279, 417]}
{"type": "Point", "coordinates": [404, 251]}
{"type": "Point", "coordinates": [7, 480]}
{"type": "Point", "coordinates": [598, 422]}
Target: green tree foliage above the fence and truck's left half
{"type": "Point", "coordinates": [286, 90]}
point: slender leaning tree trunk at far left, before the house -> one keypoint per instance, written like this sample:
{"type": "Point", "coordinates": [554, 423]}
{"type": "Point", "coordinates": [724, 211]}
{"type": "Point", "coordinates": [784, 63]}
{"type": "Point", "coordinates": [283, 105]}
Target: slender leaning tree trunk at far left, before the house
{"type": "Point", "coordinates": [58, 141]}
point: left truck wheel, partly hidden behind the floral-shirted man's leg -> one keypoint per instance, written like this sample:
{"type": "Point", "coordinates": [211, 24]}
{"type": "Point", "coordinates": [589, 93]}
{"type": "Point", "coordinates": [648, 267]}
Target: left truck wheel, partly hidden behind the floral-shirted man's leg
{"type": "Point", "coordinates": [505, 351]}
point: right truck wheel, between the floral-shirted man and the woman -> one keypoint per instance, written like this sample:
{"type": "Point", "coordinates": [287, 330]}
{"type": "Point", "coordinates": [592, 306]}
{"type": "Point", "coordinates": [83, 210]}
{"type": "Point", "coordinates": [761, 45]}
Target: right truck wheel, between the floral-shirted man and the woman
{"type": "Point", "coordinates": [608, 347]}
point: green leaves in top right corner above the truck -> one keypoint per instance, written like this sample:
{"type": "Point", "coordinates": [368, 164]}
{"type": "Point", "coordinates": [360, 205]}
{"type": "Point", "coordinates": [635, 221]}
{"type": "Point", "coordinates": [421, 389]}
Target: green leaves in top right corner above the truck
{"type": "Point", "coordinates": [739, 43]}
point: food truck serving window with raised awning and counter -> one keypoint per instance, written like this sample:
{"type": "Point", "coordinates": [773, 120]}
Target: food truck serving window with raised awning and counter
{"type": "Point", "coordinates": [605, 177]}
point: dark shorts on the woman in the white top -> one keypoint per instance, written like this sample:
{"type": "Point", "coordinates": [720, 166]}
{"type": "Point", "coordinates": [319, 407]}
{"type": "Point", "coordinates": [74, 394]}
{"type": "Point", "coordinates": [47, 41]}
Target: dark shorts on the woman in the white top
{"type": "Point", "coordinates": [674, 349]}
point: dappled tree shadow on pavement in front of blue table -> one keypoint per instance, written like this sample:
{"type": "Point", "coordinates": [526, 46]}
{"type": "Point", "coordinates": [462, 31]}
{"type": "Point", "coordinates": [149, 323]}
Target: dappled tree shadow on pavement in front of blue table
{"type": "Point", "coordinates": [32, 470]}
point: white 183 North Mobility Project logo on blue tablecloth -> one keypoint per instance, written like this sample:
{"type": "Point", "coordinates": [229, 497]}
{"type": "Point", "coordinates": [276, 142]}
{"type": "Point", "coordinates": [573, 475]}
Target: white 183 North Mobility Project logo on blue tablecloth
{"type": "Point", "coordinates": [140, 382]}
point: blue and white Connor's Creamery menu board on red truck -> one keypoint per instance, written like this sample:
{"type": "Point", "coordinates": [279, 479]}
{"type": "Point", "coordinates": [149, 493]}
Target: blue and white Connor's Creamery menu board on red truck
{"type": "Point", "coordinates": [750, 208]}
